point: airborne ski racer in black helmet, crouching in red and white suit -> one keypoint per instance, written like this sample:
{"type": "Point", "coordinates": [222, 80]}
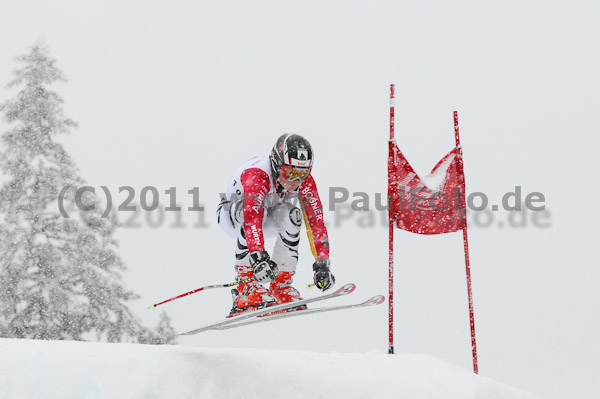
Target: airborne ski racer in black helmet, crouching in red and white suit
{"type": "Point", "coordinates": [260, 202]}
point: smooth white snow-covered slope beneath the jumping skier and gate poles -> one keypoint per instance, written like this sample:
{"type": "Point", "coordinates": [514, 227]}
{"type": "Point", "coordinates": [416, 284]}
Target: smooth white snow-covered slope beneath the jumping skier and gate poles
{"type": "Point", "coordinates": [59, 369]}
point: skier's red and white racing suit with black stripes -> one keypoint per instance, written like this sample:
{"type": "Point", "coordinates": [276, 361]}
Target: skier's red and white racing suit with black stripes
{"type": "Point", "coordinates": [252, 210]}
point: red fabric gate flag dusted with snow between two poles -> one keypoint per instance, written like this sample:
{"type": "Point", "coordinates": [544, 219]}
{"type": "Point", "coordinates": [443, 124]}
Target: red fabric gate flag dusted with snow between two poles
{"type": "Point", "coordinates": [434, 207]}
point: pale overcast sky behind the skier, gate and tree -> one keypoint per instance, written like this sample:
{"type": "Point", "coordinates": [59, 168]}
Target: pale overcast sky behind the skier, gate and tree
{"type": "Point", "coordinates": [181, 94]}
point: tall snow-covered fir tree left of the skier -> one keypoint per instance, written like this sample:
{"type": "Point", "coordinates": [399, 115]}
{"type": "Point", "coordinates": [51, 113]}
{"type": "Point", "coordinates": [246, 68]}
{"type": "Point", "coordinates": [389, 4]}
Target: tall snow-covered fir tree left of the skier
{"type": "Point", "coordinates": [60, 278]}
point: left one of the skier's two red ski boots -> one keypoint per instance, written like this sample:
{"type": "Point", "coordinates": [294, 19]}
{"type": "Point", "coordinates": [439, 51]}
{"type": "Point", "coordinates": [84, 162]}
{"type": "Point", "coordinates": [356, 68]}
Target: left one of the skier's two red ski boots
{"type": "Point", "coordinates": [250, 295]}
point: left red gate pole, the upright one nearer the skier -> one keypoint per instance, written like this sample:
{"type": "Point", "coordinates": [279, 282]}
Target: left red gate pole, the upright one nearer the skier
{"type": "Point", "coordinates": [391, 182]}
